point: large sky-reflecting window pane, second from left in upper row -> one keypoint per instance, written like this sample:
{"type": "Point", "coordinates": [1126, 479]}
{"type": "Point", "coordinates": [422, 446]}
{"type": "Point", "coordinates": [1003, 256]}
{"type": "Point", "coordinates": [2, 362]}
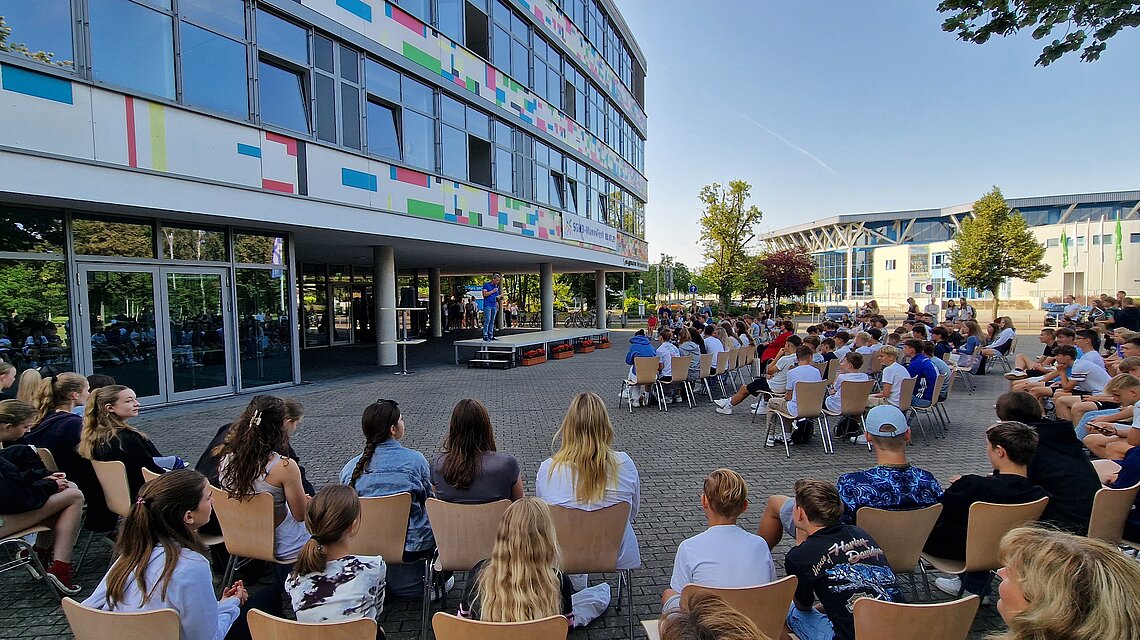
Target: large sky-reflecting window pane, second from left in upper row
{"type": "Point", "coordinates": [133, 46]}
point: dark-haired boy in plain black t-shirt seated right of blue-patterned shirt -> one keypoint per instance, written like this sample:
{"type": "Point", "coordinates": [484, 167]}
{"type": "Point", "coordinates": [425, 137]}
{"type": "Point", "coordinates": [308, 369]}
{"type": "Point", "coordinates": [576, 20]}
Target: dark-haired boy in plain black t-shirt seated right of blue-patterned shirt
{"type": "Point", "coordinates": [1009, 448]}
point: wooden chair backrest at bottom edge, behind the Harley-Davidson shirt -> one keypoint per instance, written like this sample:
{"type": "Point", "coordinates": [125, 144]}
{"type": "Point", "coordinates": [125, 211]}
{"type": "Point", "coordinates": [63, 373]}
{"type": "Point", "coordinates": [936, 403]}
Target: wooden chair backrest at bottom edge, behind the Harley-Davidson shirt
{"type": "Point", "coordinates": [946, 621]}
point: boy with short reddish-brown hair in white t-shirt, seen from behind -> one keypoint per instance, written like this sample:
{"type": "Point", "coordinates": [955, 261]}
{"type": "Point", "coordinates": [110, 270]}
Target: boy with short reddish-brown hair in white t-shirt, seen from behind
{"type": "Point", "coordinates": [723, 556]}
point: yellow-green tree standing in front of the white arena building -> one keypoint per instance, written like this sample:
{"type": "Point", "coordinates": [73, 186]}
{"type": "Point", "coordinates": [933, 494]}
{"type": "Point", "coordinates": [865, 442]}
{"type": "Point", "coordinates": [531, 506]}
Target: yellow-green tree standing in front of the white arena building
{"type": "Point", "coordinates": [995, 246]}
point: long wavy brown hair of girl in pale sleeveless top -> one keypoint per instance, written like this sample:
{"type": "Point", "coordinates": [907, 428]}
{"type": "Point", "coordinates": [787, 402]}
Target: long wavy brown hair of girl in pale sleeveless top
{"type": "Point", "coordinates": [254, 439]}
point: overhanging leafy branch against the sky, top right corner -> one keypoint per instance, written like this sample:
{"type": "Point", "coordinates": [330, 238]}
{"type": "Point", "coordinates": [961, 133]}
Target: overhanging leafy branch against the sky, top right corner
{"type": "Point", "coordinates": [975, 21]}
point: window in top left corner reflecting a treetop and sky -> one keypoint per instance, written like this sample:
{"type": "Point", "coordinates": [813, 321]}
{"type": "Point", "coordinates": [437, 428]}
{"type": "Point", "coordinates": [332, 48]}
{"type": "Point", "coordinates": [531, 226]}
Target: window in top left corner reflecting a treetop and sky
{"type": "Point", "coordinates": [42, 31]}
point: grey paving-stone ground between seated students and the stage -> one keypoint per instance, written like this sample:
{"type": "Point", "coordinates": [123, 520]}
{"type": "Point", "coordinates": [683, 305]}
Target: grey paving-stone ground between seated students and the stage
{"type": "Point", "coordinates": [673, 451]}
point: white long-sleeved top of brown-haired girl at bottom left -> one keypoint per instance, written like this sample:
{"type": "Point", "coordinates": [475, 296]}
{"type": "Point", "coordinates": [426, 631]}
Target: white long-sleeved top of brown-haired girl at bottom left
{"type": "Point", "coordinates": [191, 594]}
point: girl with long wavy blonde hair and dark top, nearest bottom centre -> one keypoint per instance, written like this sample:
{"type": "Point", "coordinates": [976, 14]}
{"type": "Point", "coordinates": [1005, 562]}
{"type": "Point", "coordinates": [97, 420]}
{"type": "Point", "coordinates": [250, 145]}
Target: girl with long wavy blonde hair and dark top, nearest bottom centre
{"type": "Point", "coordinates": [520, 581]}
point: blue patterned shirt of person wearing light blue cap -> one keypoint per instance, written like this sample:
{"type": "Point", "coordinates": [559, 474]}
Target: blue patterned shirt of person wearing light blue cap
{"type": "Point", "coordinates": [897, 489]}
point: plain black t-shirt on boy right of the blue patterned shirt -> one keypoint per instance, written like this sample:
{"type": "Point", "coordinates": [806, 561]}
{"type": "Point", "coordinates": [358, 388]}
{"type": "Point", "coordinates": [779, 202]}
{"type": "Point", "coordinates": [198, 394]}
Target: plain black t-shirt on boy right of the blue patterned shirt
{"type": "Point", "coordinates": [948, 540]}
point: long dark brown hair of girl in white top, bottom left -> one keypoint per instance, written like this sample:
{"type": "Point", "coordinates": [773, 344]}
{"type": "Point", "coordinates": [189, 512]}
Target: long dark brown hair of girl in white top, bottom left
{"type": "Point", "coordinates": [157, 519]}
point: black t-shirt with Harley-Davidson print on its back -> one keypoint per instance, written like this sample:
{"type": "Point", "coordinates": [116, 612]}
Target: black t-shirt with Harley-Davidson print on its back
{"type": "Point", "coordinates": [838, 565]}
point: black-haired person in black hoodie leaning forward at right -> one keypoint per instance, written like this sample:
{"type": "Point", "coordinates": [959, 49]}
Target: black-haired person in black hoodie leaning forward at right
{"type": "Point", "coordinates": [1060, 465]}
